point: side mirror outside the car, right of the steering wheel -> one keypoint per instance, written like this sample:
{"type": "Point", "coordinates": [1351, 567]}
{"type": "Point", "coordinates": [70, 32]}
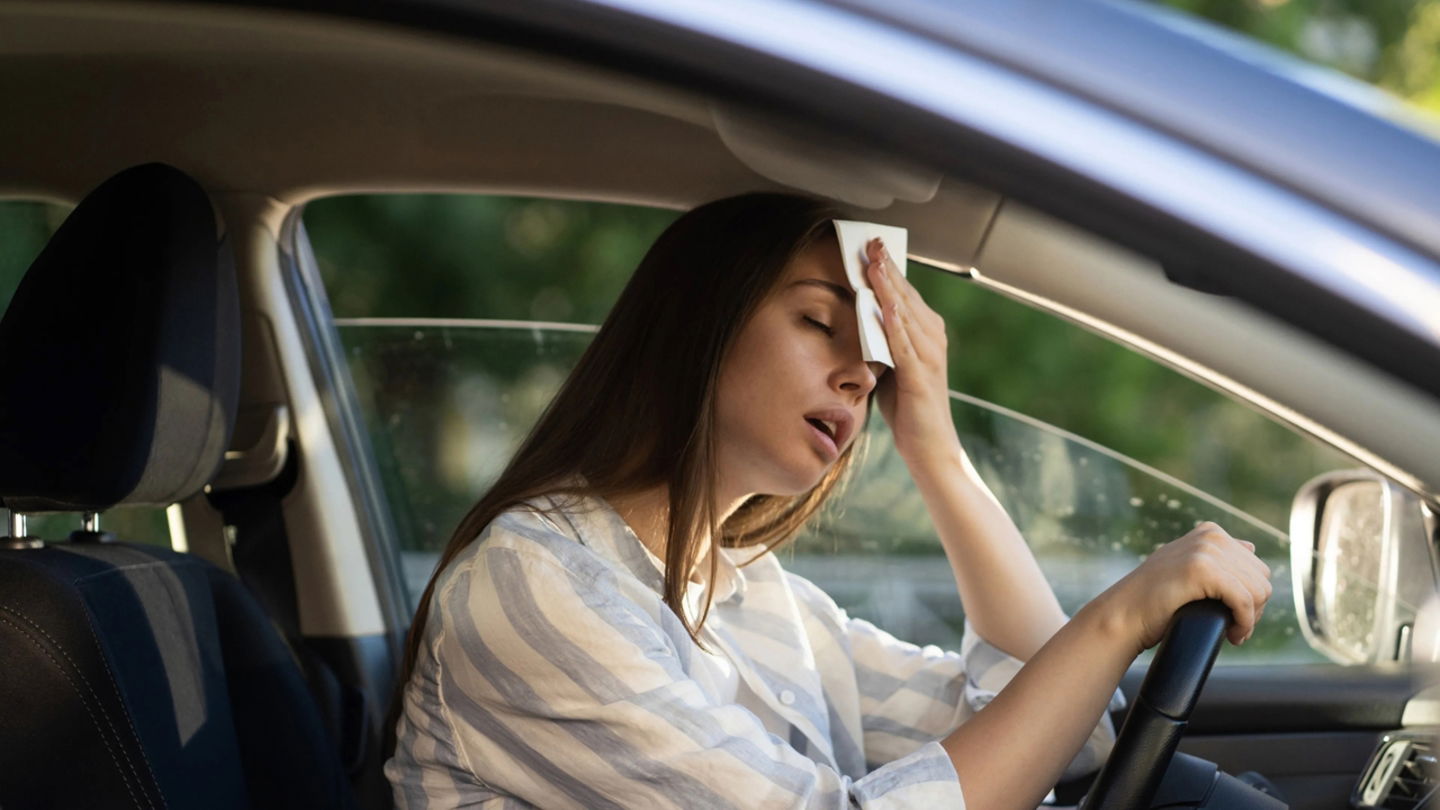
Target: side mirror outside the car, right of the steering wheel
{"type": "Point", "coordinates": [1363, 564]}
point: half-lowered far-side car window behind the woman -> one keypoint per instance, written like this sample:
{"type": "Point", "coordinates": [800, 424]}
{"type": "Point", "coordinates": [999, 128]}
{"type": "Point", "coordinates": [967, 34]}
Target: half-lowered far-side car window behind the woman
{"type": "Point", "coordinates": [460, 316]}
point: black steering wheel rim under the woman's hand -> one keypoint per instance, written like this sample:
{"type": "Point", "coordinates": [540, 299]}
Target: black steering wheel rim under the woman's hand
{"type": "Point", "coordinates": [1156, 724]}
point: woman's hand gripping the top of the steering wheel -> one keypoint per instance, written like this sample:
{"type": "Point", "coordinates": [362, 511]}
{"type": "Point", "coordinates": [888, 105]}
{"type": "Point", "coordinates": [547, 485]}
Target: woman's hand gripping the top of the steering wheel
{"type": "Point", "coordinates": [1206, 563]}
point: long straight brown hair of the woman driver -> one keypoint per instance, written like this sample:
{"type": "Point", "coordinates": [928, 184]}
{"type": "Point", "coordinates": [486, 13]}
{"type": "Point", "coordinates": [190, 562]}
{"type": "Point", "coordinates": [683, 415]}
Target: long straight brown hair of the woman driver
{"type": "Point", "coordinates": [639, 410]}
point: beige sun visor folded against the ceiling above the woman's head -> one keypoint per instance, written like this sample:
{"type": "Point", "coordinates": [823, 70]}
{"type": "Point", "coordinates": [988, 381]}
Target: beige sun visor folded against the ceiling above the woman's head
{"type": "Point", "coordinates": [817, 164]}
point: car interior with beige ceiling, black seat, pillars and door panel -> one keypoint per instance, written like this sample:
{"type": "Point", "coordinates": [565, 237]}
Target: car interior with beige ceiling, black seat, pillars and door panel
{"type": "Point", "coordinates": [171, 348]}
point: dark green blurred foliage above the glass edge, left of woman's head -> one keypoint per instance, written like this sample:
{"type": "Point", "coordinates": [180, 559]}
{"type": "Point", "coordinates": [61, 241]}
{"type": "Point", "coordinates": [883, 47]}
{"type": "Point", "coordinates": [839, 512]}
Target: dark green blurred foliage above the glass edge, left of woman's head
{"type": "Point", "coordinates": [463, 256]}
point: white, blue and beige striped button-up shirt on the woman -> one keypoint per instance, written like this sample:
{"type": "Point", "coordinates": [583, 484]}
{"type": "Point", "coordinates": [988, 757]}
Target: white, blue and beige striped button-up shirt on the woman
{"type": "Point", "coordinates": [554, 675]}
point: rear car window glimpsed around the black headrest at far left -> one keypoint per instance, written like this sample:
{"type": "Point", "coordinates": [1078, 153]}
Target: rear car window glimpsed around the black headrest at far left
{"type": "Point", "coordinates": [25, 227]}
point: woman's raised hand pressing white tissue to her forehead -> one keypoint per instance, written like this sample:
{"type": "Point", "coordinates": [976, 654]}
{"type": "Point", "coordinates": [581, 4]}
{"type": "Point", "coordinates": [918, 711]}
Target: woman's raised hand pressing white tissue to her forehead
{"type": "Point", "coordinates": [914, 397]}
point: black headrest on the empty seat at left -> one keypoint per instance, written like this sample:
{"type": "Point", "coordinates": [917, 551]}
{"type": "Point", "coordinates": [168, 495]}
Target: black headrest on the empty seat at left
{"type": "Point", "coordinates": [120, 352]}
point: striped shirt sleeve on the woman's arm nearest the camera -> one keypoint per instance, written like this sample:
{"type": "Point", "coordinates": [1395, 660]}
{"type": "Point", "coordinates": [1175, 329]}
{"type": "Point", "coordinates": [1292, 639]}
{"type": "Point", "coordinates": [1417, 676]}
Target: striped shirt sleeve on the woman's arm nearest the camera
{"type": "Point", "coordinates": [559, 690]}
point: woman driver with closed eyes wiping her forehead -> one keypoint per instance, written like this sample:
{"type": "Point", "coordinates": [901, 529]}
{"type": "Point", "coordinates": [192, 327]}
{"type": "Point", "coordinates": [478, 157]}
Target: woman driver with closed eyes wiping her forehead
{"type": "Point", "coordinates": [610, 629]}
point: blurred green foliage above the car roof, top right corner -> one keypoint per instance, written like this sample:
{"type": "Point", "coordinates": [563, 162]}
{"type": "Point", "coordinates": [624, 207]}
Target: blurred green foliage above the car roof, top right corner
{"type": "Point", "coordinates": [1390, 44]}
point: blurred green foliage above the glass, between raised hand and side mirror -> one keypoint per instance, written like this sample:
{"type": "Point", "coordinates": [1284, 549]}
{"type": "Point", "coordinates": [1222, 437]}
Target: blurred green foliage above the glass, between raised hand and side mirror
{"type": "Point", "coordinates": [1033, 362]}
